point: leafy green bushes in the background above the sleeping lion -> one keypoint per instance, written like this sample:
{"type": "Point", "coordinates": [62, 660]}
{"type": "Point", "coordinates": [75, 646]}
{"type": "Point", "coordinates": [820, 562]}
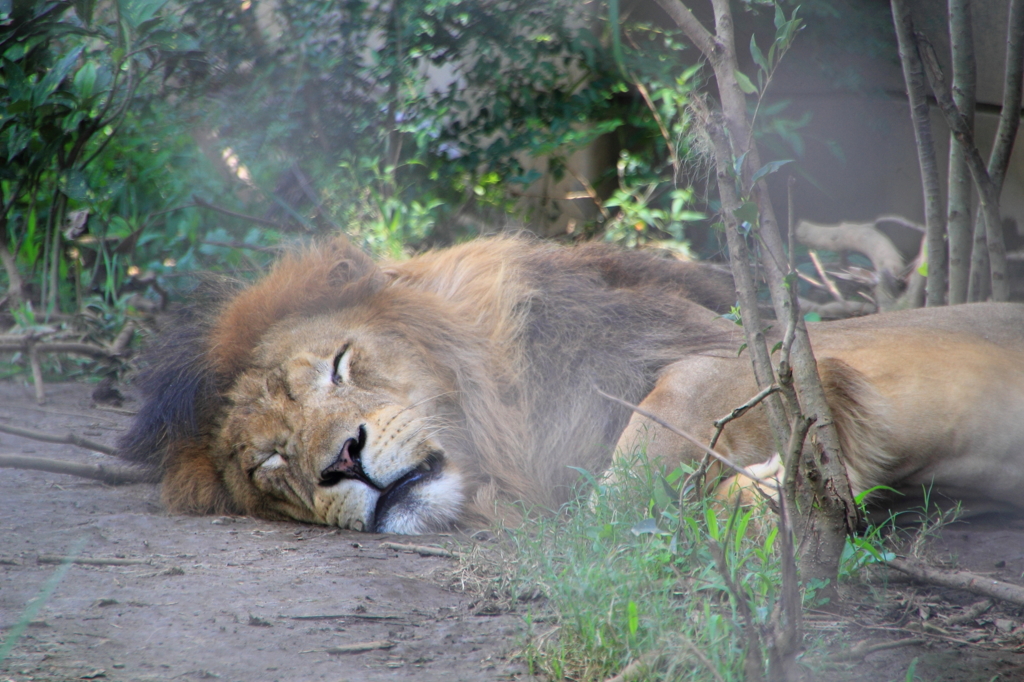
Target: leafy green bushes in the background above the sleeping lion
{"type": "Point", "coordinates": [147, 141]}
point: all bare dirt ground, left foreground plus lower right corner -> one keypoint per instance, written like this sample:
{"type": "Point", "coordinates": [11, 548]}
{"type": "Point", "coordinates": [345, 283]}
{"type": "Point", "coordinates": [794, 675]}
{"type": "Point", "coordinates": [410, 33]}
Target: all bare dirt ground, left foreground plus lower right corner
{"type": "Point", "coordinates": [251, 601]}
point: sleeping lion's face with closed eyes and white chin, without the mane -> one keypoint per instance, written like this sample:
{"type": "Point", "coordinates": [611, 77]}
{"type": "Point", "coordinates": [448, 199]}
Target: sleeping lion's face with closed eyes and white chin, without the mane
{"type": "Point", "coordinates": [342, 422]}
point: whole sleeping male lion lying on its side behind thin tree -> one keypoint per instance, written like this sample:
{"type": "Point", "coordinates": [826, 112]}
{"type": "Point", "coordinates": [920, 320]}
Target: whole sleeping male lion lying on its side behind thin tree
{"type": "Point", "coordinates": [414, 397]}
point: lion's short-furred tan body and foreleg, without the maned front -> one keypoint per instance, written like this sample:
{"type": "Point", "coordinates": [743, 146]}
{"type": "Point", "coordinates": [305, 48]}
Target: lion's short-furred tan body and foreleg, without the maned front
{"type": "Point", "coordinates": [929, 400]}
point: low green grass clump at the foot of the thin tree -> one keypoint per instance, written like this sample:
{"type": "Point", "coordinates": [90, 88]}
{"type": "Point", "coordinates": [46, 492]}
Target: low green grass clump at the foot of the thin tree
{"type": "Point", "coordinates": [630, 570]}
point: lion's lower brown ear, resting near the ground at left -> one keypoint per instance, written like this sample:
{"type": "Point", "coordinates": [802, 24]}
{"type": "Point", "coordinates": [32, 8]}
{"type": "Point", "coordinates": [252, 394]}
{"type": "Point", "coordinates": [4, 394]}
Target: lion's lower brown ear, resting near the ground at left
{"type": "Point", "coordinates": [193, 485]}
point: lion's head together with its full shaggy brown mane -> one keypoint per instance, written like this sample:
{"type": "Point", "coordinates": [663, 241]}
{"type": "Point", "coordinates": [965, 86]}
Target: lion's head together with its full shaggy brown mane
{"type": "Point", "coordinates": [410, 398]}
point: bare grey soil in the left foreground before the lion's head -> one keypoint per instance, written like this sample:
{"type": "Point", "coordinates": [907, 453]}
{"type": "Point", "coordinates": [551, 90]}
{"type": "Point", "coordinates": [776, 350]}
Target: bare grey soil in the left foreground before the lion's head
{"type": "Point", "coordinates": [215, 599]}
